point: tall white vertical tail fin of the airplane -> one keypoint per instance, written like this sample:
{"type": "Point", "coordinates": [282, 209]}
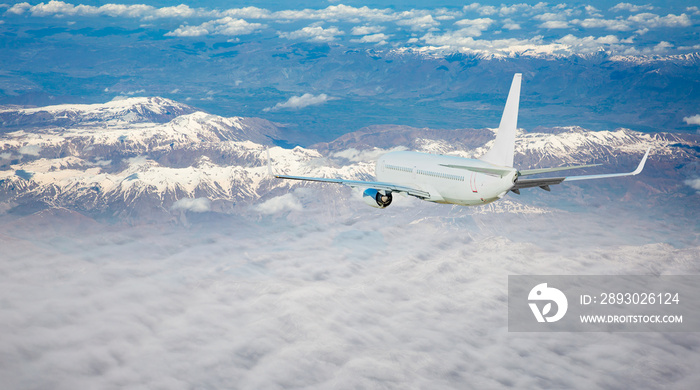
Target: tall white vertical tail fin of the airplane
{"type": "Point", "coordinates": [503, 148]}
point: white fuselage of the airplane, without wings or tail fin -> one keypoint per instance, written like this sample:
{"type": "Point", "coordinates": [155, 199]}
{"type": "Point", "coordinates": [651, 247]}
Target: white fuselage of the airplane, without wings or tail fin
{"type": "Point", "coordinates": [445, 184]}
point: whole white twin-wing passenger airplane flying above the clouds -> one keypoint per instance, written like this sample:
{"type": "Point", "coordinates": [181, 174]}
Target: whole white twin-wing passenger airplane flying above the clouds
{"type": "Point", "coordinates": [458, 180]}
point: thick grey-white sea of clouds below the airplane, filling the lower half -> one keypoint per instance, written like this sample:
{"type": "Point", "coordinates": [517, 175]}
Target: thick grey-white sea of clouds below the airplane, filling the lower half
{"type": "Point", "coordinates": [311, 291]}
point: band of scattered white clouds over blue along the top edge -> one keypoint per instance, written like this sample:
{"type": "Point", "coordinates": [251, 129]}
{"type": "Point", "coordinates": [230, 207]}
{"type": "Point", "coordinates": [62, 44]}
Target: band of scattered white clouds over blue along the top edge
{"type": "Point", "coordinates": [439, 29]}
